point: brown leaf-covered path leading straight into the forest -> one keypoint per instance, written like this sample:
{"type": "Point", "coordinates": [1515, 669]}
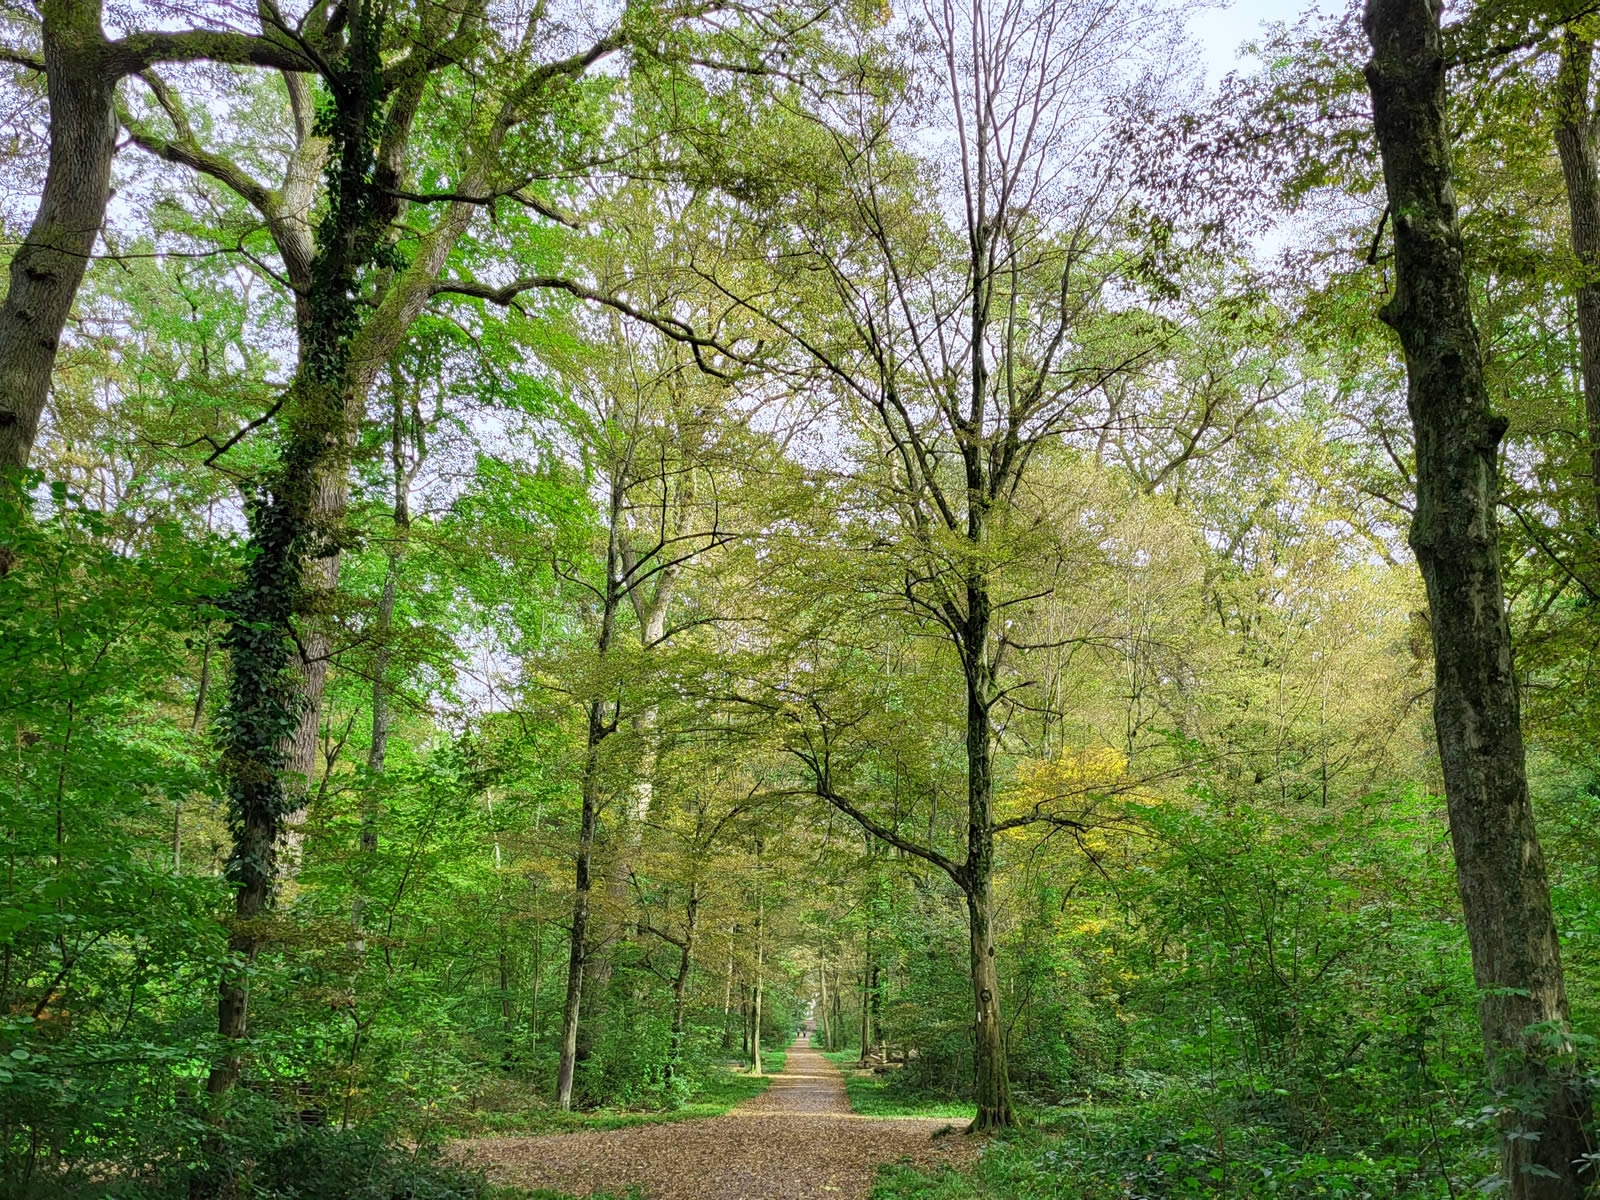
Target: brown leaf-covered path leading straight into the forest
{"type": "Point", "coordinates": [796, 1142]}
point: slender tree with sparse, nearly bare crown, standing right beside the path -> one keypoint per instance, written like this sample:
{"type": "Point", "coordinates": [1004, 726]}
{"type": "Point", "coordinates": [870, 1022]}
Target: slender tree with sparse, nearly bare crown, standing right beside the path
{"type": "Point", "coordinates": [969, 346]}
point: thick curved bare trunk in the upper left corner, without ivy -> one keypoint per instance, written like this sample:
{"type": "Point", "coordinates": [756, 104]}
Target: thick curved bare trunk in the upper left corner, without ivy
{"type": "Point", "coordinates": [50, 263]}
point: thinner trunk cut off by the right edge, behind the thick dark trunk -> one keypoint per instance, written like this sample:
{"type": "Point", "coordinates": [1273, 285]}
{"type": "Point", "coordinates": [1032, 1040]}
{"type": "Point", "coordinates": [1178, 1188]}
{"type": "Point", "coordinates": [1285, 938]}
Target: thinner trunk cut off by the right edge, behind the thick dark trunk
{"type": "Point", "coordinates": [1575, 143]}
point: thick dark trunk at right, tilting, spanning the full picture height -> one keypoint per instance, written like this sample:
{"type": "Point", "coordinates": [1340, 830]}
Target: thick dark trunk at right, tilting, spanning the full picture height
{"type": "Point", "coordinates": [1500, 866]}
